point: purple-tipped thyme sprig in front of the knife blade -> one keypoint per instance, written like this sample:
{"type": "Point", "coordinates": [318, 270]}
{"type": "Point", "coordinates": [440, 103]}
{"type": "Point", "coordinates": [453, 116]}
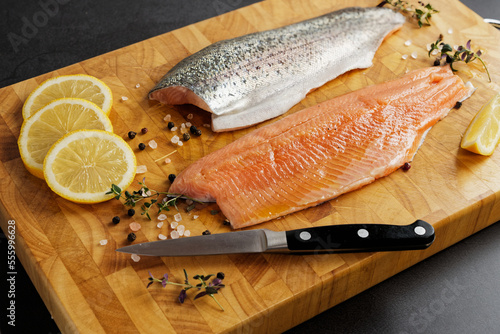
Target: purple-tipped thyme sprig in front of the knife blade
{"type": "Point", "coordinates": [209, 288]}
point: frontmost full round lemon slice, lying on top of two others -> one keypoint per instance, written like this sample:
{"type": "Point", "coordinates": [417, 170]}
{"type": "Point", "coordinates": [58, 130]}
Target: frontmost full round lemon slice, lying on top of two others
{"type": "Point", "coordinates": [82, 165]}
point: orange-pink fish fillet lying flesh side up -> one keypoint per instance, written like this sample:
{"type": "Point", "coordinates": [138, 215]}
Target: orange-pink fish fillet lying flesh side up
{"type": "Point", "coordinates": [323, 151]}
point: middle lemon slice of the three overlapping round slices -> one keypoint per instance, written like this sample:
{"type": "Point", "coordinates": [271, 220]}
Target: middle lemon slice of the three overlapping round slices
{"type": "Point", "coordinates": [40, 131]}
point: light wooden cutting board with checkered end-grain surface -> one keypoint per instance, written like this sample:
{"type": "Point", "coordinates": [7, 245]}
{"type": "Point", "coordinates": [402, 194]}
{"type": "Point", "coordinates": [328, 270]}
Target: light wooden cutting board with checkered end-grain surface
{"type": "Point", "coordinates": [90, 288]}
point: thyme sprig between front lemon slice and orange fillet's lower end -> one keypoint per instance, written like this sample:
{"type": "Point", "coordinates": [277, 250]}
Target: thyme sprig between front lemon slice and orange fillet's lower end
{"type": "Point", "coordinates": [149, 196]}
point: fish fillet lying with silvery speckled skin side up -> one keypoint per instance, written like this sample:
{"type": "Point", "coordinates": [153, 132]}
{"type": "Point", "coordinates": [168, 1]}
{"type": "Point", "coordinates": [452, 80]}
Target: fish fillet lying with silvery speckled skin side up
{"type": "Point", "coordinates": [249, 79]}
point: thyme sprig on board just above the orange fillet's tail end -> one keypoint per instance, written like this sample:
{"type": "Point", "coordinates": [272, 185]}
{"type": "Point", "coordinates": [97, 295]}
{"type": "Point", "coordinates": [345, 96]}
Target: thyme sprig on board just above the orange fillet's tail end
{"type": "Point", "coordinates": [462, 53]}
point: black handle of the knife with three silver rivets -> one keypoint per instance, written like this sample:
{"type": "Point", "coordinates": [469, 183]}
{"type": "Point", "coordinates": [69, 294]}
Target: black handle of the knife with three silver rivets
{"type": "Point", "coordinates": [362, 237]}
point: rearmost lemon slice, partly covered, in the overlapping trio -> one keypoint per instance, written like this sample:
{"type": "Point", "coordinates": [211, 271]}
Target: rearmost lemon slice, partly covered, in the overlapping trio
{"type": "Point", "coordinates": [80, 86]}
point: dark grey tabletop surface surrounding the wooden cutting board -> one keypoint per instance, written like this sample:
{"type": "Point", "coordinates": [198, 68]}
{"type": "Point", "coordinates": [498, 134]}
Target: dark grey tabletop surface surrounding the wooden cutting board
{"type": "Point", "coordinates": [455, 291]}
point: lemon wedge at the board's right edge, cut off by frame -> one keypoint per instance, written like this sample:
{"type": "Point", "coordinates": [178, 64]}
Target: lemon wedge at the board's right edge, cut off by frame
{"type": "Point", "coordinates": [483, 134]}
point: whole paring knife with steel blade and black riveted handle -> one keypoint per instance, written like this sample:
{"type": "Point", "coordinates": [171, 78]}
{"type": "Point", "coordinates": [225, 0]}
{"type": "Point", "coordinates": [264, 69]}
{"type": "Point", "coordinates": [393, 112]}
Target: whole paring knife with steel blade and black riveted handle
{"type": "Point", "coordinates": [330, 239]}
